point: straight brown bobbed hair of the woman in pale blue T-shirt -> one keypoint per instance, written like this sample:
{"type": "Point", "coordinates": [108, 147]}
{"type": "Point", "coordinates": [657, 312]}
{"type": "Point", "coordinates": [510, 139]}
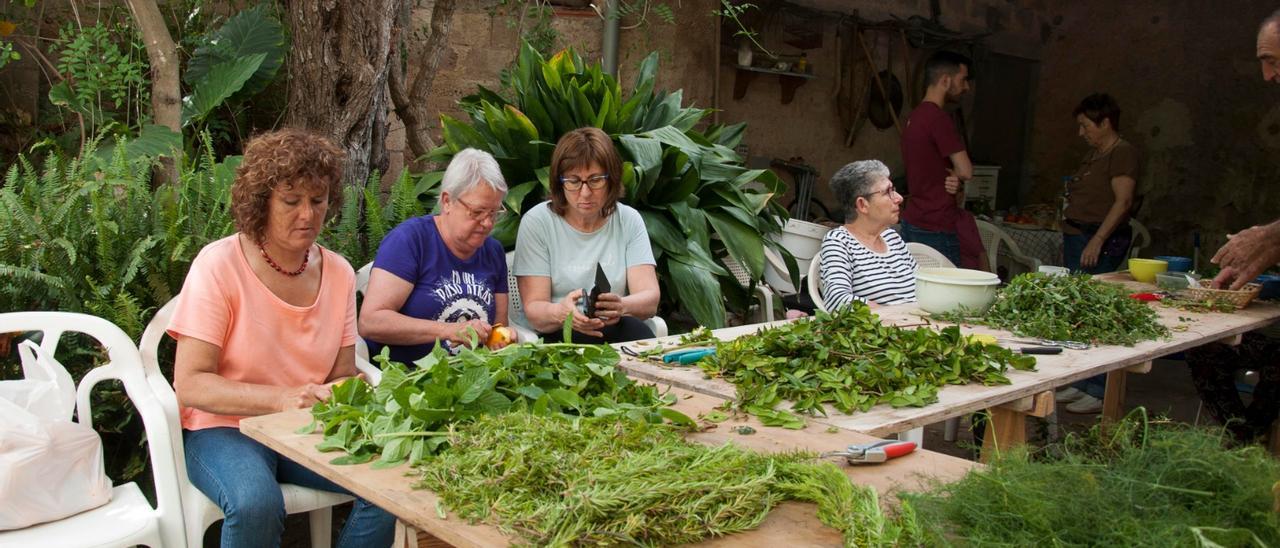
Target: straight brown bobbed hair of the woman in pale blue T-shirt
{"type": "Point", "coordinates": [583, 148]}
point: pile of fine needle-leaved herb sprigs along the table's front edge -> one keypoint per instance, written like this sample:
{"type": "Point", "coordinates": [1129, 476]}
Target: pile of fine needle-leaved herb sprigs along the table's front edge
{"type": "Point", "coordinates": [601, 481]}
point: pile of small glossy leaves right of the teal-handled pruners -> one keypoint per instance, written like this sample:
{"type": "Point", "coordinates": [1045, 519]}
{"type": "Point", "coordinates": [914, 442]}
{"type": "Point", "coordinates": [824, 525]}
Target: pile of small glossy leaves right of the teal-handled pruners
{"type": "Point", "coordinates": [851, 360]}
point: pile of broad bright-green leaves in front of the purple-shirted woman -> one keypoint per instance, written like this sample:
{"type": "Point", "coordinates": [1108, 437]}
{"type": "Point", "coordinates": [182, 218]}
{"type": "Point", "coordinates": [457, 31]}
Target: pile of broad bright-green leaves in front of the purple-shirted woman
{"type": "Point", "coordinates": [408, 415]}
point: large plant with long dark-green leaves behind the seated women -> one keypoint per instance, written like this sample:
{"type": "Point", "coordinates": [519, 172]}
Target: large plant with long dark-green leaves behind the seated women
{"type": "Point", "coordinates": [698, 200]}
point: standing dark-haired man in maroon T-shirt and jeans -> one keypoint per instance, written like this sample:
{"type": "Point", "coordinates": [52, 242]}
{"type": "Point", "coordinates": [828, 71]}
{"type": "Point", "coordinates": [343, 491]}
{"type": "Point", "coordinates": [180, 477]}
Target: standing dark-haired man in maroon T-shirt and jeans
{"type": "Point", "coordinates": [936, 159]}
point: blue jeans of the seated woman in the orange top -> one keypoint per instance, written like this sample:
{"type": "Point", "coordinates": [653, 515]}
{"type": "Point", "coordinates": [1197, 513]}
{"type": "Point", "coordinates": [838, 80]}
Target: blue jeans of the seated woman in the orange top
{"type": "Point", "coordinates": [244, 478]}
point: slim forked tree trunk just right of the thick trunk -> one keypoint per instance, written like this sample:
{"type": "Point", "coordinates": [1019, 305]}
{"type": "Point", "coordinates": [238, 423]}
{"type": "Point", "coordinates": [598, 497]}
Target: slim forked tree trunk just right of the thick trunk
{"type": "Point", "coordinates": [412, 101]}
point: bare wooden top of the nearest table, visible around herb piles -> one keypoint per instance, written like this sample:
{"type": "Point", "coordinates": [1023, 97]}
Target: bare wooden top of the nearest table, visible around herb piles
{"type": "Point", "coordinates": [790, 524]}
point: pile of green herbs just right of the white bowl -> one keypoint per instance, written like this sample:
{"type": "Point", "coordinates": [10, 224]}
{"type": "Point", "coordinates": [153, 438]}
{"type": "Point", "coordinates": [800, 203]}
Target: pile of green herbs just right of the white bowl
{"type": "Point", "coordinates": [1075, 308]}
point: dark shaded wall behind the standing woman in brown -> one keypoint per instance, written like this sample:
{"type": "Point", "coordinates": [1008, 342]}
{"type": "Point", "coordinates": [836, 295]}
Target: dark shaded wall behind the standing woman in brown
{"type": "Point", "coordinates": [1192, 101]}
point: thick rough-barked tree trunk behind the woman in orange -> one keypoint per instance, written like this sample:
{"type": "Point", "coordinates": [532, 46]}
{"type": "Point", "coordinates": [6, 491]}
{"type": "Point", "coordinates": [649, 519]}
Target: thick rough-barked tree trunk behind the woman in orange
{"type": "Point", "coordinates": [339, 76]}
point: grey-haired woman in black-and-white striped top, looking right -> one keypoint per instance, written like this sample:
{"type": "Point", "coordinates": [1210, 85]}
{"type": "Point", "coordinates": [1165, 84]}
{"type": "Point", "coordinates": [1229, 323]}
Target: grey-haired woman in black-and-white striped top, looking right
{"type": "Point", "coordinates": [865, 261]}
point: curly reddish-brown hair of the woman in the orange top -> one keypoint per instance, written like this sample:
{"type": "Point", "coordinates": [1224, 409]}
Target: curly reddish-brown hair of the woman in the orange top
{"type": "Point", "coordinates": [284, 157]}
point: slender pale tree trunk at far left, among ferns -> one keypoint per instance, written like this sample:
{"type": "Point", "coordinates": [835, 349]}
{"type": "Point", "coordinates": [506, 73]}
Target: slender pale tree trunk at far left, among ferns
{"type": "Point", "coordinates": [166, 92]}
